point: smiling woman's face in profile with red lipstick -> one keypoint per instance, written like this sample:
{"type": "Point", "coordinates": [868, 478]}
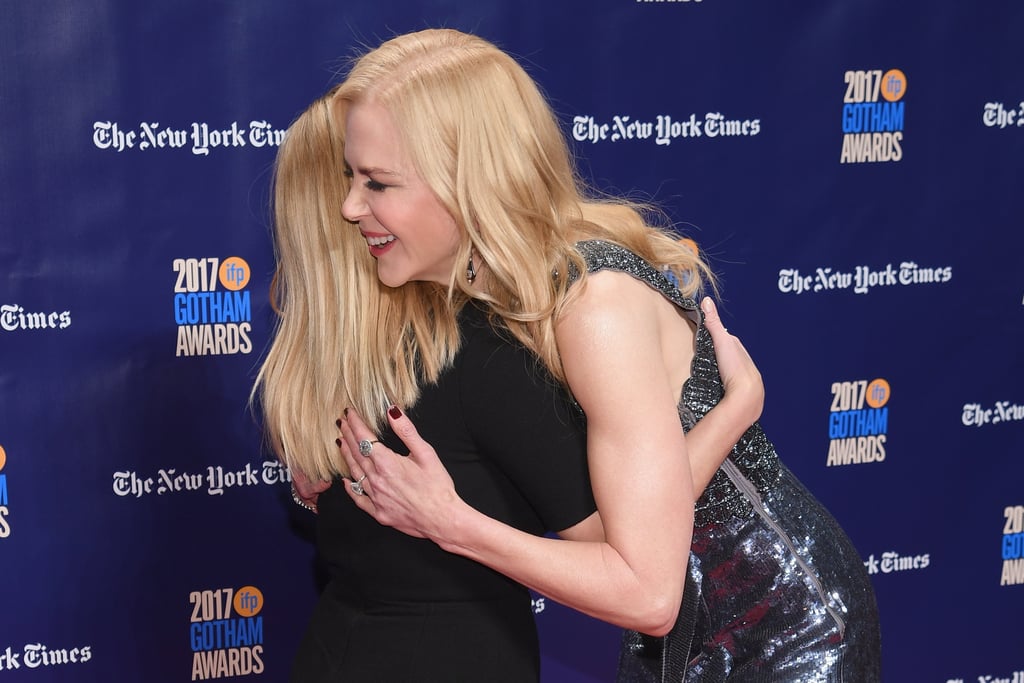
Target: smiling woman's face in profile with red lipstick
{"type": "Point", "coordinates": [407, 229]}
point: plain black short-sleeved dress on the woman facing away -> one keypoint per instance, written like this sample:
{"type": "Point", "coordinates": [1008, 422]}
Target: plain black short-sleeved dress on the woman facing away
{"type": "Point", "coordinates": [400, 609]}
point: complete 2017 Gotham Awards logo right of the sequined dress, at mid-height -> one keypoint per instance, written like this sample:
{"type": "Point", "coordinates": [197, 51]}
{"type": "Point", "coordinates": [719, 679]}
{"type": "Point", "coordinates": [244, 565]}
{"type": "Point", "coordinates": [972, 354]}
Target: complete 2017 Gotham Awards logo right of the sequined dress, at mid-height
{"type": "Point", "coordinates": [859, 422]}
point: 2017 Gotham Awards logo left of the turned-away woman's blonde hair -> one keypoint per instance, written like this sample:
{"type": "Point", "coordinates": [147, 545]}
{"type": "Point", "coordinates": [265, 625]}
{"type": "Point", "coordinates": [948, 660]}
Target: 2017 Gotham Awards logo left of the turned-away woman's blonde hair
{"type": "Point", "coordinates": [212, 321]}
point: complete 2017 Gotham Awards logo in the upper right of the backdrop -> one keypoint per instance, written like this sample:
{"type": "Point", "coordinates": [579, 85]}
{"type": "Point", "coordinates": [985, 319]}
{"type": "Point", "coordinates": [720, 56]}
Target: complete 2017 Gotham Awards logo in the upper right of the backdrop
{"type": "Point", "coordinates": [873, 116]}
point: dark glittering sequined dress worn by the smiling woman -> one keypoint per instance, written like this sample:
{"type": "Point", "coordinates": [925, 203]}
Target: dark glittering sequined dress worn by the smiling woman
{"type": "Point", "coordinates": [776, 591]}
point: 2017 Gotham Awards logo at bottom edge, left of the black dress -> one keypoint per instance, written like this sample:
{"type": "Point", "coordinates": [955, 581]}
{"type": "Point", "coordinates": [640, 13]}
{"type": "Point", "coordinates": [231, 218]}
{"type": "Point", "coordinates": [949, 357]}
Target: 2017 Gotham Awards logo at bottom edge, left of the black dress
{"type": "Point", "coordinates": [227, 633]}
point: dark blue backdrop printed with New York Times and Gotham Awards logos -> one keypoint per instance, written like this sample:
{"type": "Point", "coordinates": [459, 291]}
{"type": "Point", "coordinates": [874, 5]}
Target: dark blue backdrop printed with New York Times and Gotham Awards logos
{"type": "Point", "coordinates": [855, 170]}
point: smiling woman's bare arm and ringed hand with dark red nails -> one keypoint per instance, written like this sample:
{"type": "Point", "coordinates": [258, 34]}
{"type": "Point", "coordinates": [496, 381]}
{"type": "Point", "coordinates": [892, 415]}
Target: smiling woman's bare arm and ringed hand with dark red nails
{"type": "Point", "coordinates": [639, 471]}
